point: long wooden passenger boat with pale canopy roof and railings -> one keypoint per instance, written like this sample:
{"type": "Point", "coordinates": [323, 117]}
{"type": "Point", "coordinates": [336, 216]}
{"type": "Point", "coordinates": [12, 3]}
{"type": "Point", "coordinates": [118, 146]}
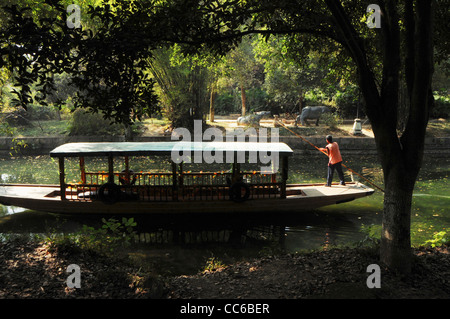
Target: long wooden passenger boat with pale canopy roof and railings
{"type": "Point", "coordinates": [140, 191]}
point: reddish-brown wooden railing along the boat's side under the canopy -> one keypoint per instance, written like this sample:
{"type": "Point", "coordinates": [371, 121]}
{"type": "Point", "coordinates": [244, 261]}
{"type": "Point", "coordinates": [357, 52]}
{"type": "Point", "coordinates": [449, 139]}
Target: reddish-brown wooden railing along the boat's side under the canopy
{"type": "Point", "coordinates": [185, 186]}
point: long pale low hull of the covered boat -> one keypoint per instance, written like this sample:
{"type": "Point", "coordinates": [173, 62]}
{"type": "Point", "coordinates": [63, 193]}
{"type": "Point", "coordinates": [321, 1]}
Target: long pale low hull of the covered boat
{"type": "Point", "coordinates": [305, 197]}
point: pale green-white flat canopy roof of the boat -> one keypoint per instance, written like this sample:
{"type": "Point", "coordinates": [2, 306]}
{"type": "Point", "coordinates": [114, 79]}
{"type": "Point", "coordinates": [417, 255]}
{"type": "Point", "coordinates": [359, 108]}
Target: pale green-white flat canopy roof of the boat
{"type": "Point", "coordinates": [164, 148]}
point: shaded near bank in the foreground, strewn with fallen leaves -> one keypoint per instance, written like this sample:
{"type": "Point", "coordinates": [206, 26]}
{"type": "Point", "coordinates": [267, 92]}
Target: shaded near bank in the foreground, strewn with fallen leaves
{"type": "Point", "coordinates": [31, 270]}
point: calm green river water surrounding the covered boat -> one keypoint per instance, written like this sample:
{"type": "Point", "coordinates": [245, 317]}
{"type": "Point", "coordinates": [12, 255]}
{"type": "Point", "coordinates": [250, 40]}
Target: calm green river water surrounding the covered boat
{"type": "Point", "coordinates": [333, 225]}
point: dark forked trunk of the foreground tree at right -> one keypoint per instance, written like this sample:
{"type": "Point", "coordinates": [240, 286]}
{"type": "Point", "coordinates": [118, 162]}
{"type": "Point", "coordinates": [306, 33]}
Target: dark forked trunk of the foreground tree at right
{"type": "Point", "coordinates": [401, 157]}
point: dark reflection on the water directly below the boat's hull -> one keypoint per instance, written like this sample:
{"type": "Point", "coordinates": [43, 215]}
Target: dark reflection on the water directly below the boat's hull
{"type": "Point", "coordinates": [287, 232]}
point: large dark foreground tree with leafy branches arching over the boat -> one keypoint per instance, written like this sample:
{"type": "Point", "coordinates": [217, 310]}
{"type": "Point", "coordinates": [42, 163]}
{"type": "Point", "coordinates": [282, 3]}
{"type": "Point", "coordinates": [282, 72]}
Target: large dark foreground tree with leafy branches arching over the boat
{"type": "Point", "coordinates": [109, 66]}
